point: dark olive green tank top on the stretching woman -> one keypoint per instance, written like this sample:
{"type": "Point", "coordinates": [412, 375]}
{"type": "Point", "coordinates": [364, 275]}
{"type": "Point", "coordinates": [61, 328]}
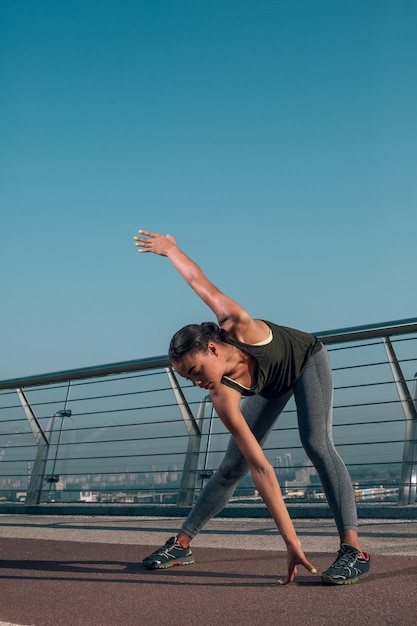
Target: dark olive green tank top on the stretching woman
{"type": "Point", "coordinates": [280, 360]}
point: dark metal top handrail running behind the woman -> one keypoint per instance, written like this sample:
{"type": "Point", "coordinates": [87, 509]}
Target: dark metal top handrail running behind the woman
{"type": "Point", "coordinates": [354, 333]}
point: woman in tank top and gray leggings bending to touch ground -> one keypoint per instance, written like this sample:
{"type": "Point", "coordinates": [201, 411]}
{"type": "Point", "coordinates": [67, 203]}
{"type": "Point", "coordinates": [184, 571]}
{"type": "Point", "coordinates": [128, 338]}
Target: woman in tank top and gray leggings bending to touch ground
{"type": "Point", "coordinates": [267, 364]}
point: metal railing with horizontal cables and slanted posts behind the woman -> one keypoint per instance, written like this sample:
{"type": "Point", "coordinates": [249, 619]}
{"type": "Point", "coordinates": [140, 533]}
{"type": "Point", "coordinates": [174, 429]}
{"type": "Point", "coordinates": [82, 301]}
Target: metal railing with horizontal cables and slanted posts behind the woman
{"type": "Point", "coordinates": [115, 433]}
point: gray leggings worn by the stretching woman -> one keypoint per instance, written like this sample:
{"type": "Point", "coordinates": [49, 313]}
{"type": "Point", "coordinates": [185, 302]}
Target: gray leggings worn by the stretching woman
{"type": "Point", "coordinates": [313, 394]}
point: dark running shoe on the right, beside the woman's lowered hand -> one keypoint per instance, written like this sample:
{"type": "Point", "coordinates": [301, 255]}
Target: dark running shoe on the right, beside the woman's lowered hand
{"type": "Point", "coordinates": [350, 566]}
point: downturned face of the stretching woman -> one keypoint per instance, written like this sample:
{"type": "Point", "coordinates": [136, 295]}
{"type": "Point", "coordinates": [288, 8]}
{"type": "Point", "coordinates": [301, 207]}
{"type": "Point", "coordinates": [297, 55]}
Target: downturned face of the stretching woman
{"type": "Point", "coordinates": [203, 369]}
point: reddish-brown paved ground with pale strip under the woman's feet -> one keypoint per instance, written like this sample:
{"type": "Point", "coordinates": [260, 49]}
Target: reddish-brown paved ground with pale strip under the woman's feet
{"type": "Point", "coordinates": [86, 571]}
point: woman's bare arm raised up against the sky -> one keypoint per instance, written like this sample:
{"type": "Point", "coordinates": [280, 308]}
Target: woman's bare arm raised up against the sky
{"type": "Point", "coordinates": [230, 315]}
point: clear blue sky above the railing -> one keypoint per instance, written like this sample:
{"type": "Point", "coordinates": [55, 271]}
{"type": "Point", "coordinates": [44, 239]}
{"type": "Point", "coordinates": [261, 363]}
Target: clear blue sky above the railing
{"type": "Point", "coordinates": [277, 140]}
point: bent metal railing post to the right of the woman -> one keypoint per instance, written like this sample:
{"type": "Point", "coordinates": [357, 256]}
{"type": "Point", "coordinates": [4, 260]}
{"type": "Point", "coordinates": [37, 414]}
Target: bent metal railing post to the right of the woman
{"type": "Point", "coordinates": [407, 489]}
